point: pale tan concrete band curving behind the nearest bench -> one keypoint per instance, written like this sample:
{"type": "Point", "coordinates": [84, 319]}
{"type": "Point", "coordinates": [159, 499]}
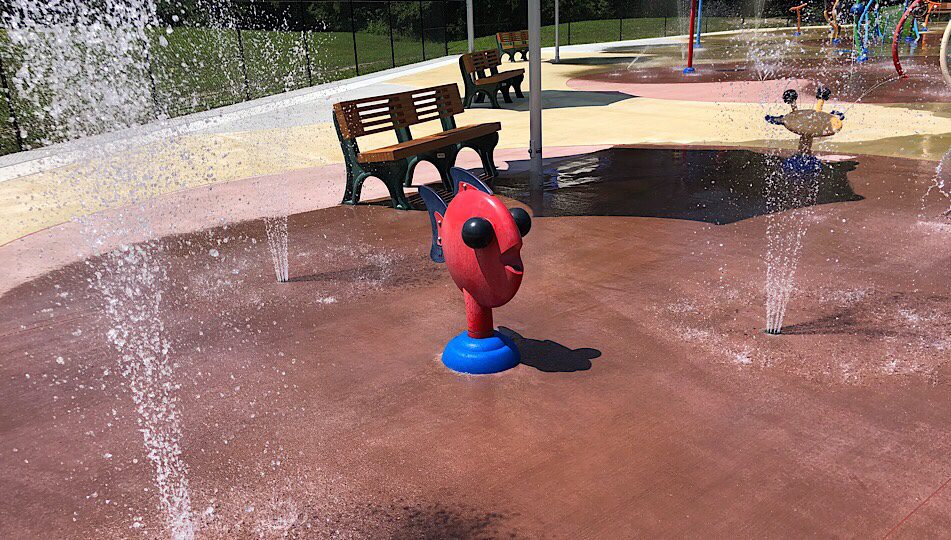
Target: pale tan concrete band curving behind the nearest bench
{"type": "Point", "coordinates": [572, 118]}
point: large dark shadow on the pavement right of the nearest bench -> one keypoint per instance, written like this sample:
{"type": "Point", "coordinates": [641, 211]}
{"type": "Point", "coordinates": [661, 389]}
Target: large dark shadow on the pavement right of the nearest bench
{"type": "Point", "coordinates": [713, 186]}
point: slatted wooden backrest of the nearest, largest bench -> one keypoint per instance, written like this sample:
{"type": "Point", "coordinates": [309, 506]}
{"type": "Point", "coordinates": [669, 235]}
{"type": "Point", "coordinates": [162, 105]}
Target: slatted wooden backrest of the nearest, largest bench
{"type": "Point", "coordinates": [391, 112]}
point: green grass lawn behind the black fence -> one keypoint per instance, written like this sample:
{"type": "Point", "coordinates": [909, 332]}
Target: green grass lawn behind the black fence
{"type": "Point", "coordinates": [197, 69]}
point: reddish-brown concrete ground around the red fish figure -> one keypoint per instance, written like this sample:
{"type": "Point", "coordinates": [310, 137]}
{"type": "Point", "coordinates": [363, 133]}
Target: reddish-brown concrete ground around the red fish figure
{"type": "Point", "coordinates": [650, 402]}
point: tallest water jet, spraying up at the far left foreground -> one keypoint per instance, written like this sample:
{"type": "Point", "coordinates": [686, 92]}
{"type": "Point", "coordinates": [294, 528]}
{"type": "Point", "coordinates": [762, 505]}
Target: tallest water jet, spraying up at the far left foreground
{"type": "Point", "coordinates": [67, 50]}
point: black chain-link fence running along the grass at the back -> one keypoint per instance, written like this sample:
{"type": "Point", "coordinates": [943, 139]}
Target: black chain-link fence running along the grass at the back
{"type": "Point", "coordinates": [207, 54]}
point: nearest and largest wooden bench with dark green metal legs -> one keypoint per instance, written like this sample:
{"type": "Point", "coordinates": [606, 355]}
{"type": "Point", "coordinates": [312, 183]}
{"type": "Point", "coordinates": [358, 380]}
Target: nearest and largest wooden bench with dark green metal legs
{"type": "Point", "coordinates": [394, 164]}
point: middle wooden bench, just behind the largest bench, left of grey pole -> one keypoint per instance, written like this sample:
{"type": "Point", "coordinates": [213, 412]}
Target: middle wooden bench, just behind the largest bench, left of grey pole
{"type": "Point", "coordinates": [481, 78]}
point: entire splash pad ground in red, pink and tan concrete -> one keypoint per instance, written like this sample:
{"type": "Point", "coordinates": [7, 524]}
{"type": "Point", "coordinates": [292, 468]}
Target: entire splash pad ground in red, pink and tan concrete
{"type": "Point", "coordinates": [649, 400]}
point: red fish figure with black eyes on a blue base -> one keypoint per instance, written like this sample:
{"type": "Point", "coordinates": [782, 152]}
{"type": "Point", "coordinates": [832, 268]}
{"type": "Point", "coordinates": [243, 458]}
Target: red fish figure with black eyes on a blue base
{"type": "Point", "coordinates": [479, 239]}
